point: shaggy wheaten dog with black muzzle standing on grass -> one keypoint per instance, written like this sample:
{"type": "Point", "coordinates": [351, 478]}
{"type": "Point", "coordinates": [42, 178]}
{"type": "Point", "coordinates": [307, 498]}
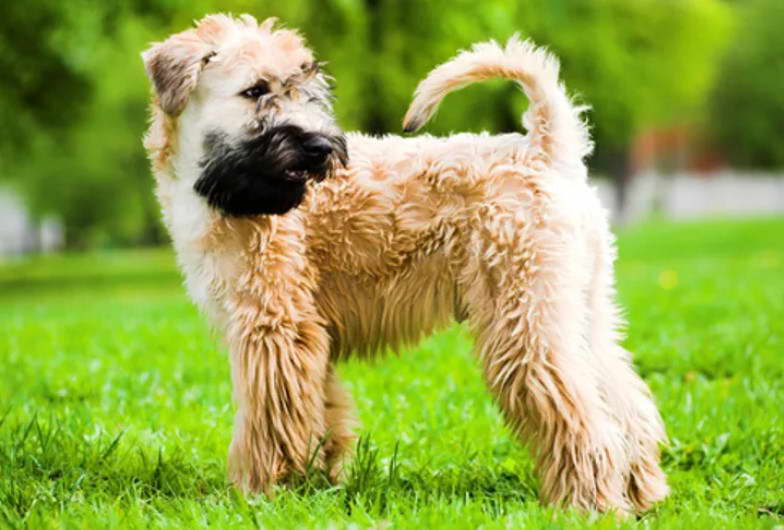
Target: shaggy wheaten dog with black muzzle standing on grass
{"type": "Point", "coordinates": [304, 244]}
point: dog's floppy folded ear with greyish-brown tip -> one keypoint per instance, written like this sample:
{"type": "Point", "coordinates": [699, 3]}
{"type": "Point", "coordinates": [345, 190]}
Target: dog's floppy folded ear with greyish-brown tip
{"type": "Point", "coordinates": [173, 67]}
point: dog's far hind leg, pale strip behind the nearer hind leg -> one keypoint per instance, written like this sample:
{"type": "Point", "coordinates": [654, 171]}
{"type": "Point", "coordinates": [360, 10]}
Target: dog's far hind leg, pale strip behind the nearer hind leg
{"type": "Point", "coordinates": [624, 390]}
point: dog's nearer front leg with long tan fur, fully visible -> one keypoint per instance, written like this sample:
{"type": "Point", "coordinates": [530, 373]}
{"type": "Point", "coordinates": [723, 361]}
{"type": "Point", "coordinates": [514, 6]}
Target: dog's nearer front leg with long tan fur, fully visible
{"type": "Point", "coordinates": [279, 355]}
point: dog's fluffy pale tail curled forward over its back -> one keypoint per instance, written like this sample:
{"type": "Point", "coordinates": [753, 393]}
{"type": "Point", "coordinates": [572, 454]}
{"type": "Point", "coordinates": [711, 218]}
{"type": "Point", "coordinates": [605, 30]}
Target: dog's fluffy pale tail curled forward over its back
{"type": "Point", "coordinates": [555, 127]}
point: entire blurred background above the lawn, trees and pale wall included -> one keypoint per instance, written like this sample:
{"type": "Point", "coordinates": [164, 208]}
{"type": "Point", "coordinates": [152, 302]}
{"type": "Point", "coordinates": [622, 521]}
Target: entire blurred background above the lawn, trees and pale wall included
{"type": "Point", "coordinates": [687, 98]}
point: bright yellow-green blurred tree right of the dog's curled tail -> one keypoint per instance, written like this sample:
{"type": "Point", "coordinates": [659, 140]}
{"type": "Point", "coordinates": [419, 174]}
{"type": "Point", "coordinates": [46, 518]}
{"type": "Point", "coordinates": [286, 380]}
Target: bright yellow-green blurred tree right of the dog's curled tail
{"type": "Point", "coordinates": [640, 64]}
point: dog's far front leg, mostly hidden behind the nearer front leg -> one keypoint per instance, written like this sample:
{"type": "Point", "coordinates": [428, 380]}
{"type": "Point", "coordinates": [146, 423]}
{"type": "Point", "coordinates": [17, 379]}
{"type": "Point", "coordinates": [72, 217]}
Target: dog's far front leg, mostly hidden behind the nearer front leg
{"type": "Point", "coordinates": [340, 424]}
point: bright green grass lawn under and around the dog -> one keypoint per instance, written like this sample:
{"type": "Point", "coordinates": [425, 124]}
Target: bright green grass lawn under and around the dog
{"type": "Point", "coordinates": [115, 401]}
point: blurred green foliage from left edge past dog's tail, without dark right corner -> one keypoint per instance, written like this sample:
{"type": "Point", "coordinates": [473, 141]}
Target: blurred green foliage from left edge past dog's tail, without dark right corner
{"type": "Point", "coordinates": [74, 104]}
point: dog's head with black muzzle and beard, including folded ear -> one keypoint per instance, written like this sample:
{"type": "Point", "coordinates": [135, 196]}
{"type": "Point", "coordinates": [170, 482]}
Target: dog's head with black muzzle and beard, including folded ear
{"type": "Point", "coordinates": [253, 110]}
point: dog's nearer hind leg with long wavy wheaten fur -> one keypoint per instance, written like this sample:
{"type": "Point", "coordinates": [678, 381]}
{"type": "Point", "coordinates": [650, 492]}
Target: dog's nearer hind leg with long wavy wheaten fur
{"type": "Point", "coordinates": [524, 288]}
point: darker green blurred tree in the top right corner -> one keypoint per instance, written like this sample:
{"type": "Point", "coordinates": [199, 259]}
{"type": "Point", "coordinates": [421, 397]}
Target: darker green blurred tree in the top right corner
{"type": "Point", "coordinates": [747, 103]}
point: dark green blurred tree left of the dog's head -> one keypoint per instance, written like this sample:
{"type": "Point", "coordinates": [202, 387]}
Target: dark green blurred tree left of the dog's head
{"type": "Point", "coordinates": [73, 149]}
